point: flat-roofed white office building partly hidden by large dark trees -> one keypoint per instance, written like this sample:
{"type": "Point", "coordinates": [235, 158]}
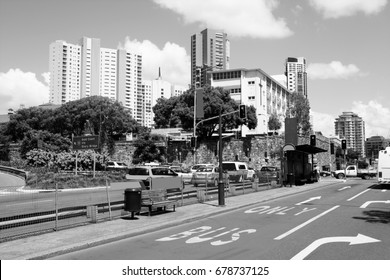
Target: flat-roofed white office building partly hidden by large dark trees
{"type": "Point", "coordinates": [254, 88]}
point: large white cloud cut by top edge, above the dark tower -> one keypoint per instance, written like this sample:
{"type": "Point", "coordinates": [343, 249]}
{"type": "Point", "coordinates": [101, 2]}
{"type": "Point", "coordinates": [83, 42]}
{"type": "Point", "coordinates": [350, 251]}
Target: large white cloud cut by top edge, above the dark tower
{"type": "Point", "coordinates": [238, 18]}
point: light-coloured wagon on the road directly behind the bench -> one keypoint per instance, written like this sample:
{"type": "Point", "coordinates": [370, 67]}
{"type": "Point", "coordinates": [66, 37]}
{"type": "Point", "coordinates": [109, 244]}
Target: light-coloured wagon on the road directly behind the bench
{"type": "Point", "coordinates": [145, 172]}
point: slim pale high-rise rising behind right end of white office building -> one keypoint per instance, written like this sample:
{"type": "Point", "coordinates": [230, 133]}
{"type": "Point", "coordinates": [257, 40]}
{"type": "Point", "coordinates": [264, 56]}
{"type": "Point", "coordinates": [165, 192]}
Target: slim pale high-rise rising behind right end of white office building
{"type": "Point", "coordinates": [296, 75]}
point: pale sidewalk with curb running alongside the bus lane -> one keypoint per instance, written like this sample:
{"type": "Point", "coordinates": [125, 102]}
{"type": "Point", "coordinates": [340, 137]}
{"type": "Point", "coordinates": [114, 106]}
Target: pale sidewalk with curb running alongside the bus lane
{"type": "Point", "coordinates": [213, 211]}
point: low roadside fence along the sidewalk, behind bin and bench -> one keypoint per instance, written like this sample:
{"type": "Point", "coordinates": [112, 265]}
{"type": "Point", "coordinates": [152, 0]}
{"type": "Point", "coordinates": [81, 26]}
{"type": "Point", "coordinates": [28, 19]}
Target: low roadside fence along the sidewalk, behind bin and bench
{"type": "Point", "coordinates": [25, 212]}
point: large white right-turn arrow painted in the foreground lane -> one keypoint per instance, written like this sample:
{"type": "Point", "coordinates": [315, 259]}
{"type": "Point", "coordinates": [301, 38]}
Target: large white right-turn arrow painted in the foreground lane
{"type": "Point", "coordinates": [353, 240]}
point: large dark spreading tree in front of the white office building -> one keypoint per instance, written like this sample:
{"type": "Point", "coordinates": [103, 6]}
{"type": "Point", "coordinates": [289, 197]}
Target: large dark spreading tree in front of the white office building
{"type": "Point", "coordinates": [179, 111]}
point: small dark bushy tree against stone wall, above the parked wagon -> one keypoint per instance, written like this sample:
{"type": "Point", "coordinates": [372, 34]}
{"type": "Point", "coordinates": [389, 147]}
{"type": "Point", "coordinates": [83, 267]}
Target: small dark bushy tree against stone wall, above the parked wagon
{"type": "Point", "coordinates": [146, 148]}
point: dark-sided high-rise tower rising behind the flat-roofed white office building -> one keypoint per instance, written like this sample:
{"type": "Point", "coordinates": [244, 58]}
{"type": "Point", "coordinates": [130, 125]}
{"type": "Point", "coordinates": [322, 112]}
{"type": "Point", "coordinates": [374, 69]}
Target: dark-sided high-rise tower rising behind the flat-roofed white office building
{"type": "Point", "coordinates": [210, 50]}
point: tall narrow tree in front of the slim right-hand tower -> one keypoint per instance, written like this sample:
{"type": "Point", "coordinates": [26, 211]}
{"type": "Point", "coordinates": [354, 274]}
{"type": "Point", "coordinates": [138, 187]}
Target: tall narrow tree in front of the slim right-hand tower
{"type": "Point", "coordinates": [298, 106]}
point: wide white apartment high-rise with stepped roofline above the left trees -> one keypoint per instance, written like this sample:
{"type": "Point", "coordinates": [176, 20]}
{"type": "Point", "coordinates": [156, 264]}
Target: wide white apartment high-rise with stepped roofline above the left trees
{"type": "Point", "coordinates": [87, 69]}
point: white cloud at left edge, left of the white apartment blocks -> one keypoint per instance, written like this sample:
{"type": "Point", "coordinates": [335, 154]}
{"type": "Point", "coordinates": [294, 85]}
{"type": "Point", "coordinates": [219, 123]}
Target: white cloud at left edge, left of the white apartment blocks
{"type": "Point", "coordinates": [18, 87]}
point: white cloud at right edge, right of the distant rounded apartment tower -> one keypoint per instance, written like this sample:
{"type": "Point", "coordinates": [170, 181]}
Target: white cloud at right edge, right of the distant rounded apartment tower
{"type": "Point", "coordinates": [375, 116]}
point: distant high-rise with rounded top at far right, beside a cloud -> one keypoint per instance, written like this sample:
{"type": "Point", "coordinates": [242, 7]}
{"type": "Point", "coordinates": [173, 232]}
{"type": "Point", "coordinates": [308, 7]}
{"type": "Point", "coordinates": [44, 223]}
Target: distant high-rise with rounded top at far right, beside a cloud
{"type": "Point", "coordinates": [350, 126]}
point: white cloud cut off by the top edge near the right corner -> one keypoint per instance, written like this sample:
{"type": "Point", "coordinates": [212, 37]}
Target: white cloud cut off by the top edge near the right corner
{"type": "Point", "coordinates": [343, 8]}
